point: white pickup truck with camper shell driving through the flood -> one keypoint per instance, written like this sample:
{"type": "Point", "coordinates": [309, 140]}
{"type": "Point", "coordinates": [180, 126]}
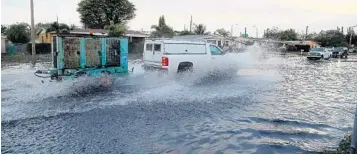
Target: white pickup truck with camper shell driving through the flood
{"type": "Point", "coordinates": [174, 56]}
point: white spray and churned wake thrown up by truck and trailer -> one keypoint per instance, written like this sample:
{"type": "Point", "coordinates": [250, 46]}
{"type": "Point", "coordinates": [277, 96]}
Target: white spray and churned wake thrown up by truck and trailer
{"type": "Point", "coordinates": [24, 93]}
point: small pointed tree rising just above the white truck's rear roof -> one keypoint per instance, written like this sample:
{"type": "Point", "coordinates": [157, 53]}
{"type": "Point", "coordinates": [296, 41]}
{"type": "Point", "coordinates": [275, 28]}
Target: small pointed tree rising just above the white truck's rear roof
{"type": "Point", "coordinates": [162, 30]}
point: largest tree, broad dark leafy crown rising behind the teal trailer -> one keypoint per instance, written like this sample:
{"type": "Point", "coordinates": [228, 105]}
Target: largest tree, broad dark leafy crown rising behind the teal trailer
{"type": "Point", "coordinates": [99, 13]}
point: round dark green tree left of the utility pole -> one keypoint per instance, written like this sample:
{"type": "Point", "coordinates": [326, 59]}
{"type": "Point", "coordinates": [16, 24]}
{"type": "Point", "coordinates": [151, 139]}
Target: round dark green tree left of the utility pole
{"type": "Point", "coordinates": [19, 33]}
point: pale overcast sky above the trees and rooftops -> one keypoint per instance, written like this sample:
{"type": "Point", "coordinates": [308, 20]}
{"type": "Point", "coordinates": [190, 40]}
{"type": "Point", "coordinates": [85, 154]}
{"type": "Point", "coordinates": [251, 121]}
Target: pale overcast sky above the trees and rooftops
{"type": "Point", "coordinates": [297, 14]}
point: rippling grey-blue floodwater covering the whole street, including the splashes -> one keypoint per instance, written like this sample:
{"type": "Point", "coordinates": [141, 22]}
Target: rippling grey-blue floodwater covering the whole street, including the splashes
{"type": "Point", "coordinates": [275, 104]}
